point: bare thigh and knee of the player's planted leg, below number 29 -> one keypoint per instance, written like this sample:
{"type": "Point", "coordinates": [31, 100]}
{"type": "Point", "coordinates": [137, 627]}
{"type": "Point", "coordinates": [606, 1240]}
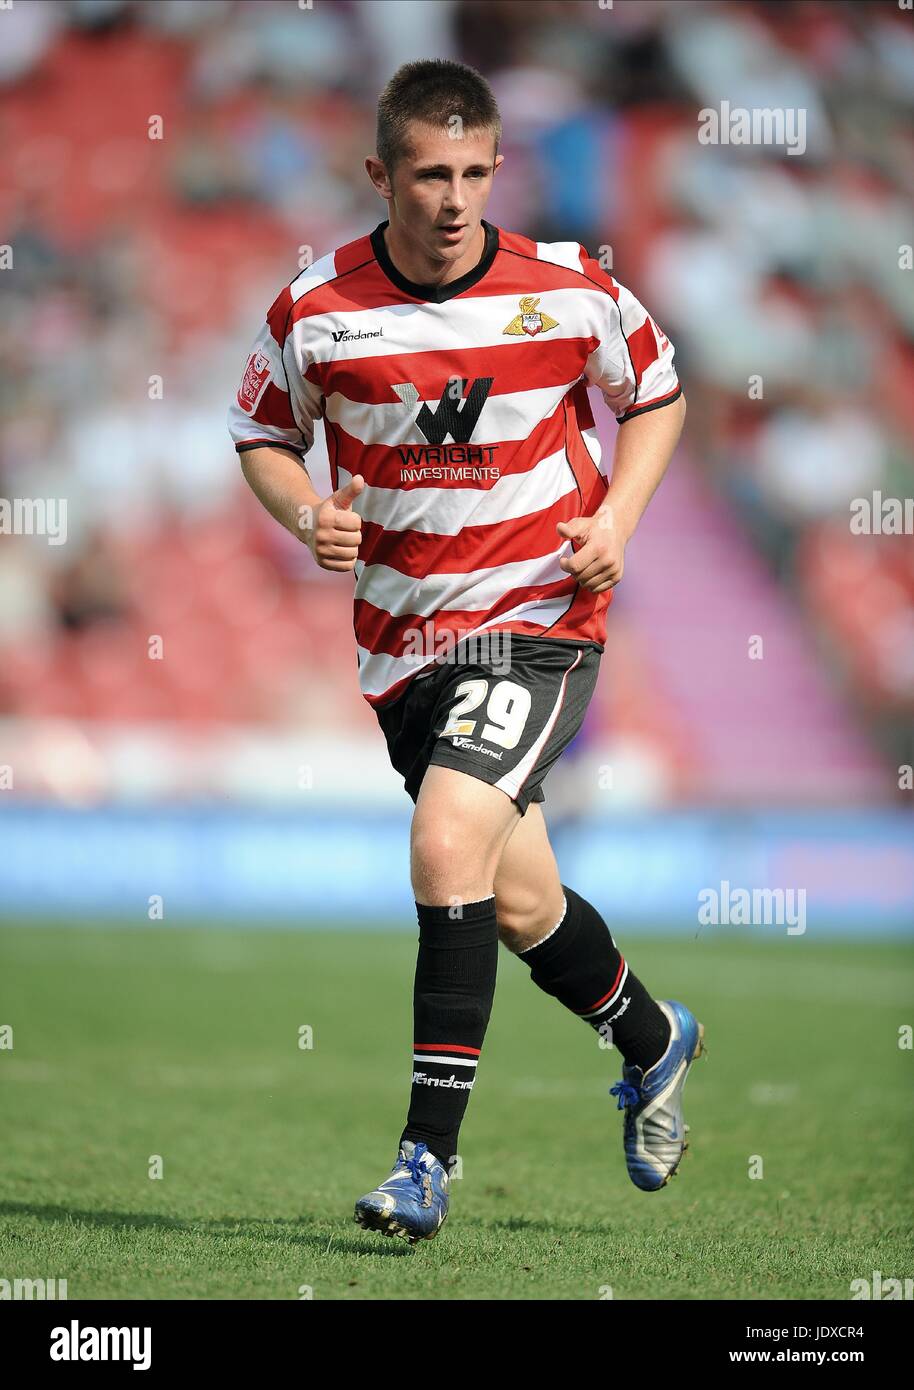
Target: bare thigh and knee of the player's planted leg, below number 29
{"type": "Point", "coordinates": [460, 828]}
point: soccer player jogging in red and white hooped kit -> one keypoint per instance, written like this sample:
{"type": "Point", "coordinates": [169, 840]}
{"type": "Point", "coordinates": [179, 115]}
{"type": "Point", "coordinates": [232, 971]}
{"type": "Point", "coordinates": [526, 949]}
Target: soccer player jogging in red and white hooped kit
{"type": "Point", "coordinates": [451, 362]}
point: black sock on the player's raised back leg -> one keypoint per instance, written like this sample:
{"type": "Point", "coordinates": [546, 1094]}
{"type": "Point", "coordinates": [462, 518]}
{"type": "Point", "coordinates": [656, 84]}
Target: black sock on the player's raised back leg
{"type": "Point", "coordinates": [583, 968]}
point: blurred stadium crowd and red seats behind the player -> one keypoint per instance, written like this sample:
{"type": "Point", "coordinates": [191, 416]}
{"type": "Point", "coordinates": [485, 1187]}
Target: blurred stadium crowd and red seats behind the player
{"type": "Point", "coordinates": [144, 266]}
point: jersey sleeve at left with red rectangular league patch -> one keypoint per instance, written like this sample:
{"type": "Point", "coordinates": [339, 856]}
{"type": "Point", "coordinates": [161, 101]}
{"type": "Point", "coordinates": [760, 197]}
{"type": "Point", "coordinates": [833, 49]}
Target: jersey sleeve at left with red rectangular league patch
{"type": "Point", "coordinates": [276, 404]}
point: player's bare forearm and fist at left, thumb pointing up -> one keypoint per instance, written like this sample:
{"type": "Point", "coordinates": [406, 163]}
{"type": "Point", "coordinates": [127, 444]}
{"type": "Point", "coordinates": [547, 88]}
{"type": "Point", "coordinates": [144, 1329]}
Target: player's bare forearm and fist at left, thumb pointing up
{"type": "Point", "coordinates": [329, 526]}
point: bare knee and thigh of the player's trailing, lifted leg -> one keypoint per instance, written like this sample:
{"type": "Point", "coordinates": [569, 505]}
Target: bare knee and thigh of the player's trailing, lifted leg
{"type": "Point", "coordinates": [527, 883]}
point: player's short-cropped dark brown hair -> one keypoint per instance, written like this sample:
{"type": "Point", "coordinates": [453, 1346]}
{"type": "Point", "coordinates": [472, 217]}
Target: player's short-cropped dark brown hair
{"type": "Point", "coordinates": [434, 91]}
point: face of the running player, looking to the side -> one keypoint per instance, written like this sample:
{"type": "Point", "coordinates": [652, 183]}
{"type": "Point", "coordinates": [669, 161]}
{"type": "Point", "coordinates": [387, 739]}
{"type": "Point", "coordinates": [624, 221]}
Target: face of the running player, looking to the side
{"type": "Point", "coordinates": [440, 191]}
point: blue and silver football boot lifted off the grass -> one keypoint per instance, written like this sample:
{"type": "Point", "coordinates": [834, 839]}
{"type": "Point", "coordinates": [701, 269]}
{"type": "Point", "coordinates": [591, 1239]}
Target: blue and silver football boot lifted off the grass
{"type": "Point", "coordinates": [655, 1134]}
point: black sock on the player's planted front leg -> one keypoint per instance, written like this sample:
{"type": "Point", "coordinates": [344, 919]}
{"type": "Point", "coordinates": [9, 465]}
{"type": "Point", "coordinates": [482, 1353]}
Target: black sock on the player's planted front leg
{"type": "Point", "coordinates": [452, 1001]}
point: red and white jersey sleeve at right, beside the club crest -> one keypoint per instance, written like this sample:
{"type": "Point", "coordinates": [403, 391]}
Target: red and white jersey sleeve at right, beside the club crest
{"type": "Point", "coordinates": [633, 359]}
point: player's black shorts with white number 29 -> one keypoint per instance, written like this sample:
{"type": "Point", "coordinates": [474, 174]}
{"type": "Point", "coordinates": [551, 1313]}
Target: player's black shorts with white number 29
{"type": "Point", "coordinates": [502, 715]}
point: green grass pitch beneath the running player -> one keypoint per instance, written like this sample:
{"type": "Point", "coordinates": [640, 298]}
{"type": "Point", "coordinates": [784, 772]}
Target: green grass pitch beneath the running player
{"type": "Point", "coordinates": [184, 1043]}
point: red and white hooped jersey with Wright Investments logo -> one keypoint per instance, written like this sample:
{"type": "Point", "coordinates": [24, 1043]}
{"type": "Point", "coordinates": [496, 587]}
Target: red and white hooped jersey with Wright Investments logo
{"type": "Point", "coordinates": [466, 409]}
